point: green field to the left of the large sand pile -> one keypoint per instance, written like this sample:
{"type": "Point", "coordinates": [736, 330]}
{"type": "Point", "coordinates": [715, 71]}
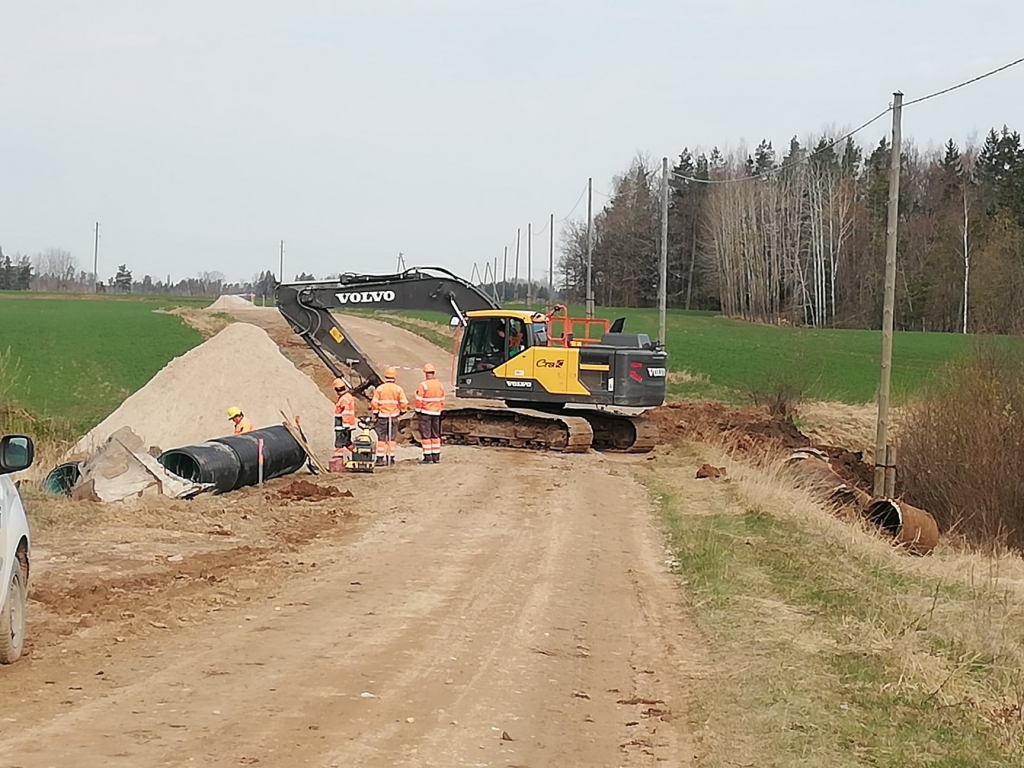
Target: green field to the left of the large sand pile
{"type": "Point", "coordinates": [76, 360]}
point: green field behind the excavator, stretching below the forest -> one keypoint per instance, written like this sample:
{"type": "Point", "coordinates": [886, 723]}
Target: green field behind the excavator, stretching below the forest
{"type": "Point", "coordinates": [733, 359]}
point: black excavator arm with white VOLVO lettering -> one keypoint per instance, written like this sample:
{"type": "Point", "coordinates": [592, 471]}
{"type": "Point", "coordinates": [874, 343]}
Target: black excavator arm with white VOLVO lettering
{"type": "Point", "coordinates": [308, 308]}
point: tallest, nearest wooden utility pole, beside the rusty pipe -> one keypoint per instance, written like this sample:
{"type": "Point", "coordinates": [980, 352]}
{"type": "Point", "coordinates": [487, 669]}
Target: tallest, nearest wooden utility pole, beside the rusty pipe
{"type": "Point", "coordinates": [882, 449]}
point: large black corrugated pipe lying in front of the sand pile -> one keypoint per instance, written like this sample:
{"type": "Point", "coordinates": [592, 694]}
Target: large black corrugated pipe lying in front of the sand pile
{"type": "Point", "coordinates": [232, 463]}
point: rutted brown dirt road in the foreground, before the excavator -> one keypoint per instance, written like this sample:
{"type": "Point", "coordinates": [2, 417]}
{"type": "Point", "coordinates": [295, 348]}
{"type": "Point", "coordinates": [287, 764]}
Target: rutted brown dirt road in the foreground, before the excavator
{"type": "Point", "coordinates": [503, 609]}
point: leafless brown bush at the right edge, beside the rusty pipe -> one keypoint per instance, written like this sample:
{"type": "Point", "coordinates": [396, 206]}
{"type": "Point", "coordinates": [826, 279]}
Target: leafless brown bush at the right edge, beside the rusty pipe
{"type": "Point", "coordinates": [962, 448]}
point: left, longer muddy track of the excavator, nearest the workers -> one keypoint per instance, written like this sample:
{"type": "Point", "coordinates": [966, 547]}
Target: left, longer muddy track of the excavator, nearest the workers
{"type": "Point", "coordinates": [521, 429]}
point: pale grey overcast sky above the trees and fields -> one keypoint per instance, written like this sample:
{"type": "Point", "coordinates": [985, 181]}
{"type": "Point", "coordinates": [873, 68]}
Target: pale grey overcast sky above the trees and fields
{"type": "Point", "coordinates": [201, 134]}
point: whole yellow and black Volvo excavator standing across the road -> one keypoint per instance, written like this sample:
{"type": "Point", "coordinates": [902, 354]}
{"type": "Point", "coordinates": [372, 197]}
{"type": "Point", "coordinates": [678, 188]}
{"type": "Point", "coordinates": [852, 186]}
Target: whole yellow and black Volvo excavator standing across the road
{"type": "Point", "coordinates": [562, 392]}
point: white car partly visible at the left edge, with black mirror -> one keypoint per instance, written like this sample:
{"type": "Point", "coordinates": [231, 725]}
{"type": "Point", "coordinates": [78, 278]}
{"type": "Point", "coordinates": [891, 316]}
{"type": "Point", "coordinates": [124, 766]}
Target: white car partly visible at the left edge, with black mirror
{"type": "Point", "coordinates": [16, 455]}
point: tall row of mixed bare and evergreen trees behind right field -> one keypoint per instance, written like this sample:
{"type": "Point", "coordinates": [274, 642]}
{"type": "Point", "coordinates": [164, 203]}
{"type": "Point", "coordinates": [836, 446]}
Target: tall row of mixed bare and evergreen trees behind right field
{"type": "Point", "coordinates": [800, 238]}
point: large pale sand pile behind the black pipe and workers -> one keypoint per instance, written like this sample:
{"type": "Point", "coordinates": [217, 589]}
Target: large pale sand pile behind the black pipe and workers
{"type": "Point", "coordinates": [187, 402]}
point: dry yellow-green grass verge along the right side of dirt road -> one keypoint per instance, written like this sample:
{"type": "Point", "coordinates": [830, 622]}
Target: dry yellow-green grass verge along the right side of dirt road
{"type": "Point", "coordinates": [831, 650]}
